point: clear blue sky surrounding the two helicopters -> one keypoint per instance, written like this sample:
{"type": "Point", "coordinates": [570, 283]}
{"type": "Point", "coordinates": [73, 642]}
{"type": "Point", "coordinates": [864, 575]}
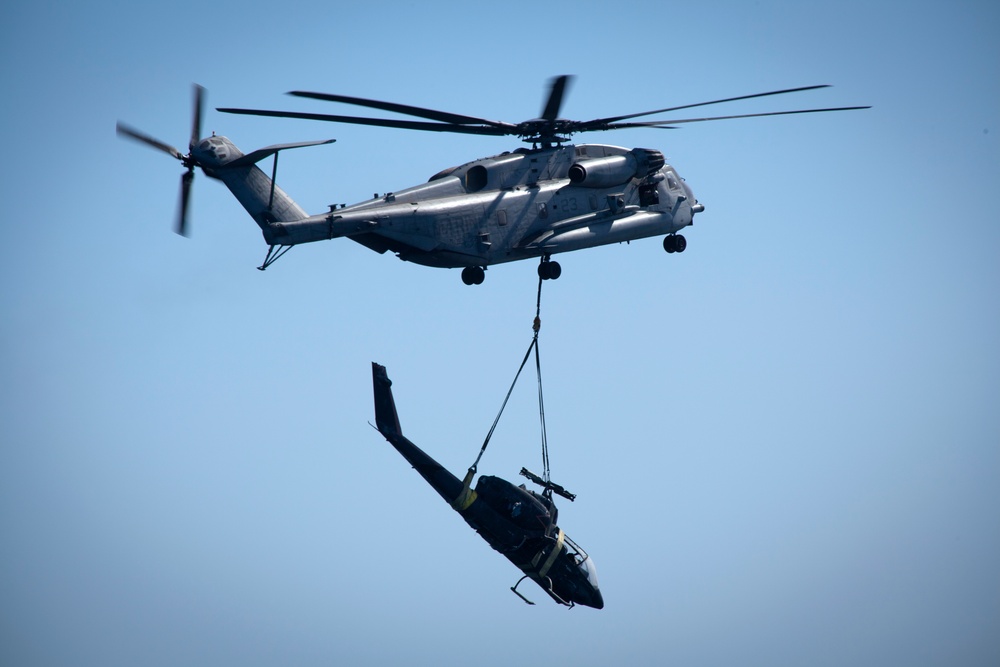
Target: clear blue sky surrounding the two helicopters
{"type": "Point", "coordinates": [785, 442]}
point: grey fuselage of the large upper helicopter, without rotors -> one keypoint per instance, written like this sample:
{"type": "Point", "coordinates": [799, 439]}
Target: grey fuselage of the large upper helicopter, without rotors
{"type": "Point", "coordinates": [517, 205]}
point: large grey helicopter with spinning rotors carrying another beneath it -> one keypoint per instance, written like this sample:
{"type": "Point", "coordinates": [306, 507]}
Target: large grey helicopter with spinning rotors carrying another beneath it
{"type": "Point", "coordinates": [536, 202]}
